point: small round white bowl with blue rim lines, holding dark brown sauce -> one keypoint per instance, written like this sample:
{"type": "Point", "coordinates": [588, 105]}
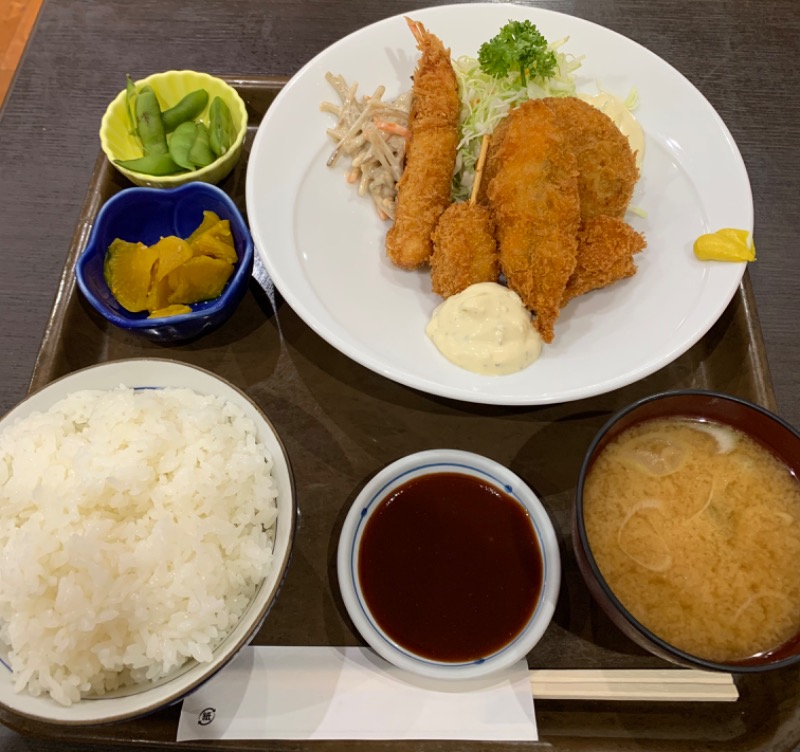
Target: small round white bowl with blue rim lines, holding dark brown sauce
{"type": "Point", "coordinates": [448, 565]}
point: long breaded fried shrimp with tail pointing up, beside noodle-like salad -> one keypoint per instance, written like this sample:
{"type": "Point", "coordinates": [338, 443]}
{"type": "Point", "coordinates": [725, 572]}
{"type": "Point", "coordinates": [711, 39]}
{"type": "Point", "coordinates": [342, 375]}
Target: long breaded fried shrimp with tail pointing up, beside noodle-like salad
{"type": "Point", "coordinates": [423, 192]}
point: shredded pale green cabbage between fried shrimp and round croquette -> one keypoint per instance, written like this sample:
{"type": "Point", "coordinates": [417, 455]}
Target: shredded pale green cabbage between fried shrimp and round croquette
{"type": "Point", "coordinates": [485, 100]}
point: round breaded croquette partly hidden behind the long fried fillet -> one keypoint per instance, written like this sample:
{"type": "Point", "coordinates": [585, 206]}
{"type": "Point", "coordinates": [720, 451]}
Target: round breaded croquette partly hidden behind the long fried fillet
{"type": "Point", "coordinates": [606, 163]}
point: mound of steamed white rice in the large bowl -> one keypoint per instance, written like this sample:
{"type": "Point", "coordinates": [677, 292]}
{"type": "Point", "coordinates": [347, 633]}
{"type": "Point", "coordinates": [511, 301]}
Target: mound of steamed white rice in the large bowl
{"type": "Point", "coordinates": [135, 528]}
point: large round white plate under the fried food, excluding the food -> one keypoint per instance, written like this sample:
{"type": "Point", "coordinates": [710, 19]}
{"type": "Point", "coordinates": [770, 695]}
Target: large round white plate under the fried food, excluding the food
{"type": "Point", "coordinates": [323, 245]}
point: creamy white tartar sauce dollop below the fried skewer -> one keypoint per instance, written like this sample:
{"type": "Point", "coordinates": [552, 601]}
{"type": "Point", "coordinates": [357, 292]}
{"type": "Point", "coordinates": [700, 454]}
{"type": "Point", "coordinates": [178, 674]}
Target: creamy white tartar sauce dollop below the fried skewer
{"type": "Point", "coordinates": [485, 329]}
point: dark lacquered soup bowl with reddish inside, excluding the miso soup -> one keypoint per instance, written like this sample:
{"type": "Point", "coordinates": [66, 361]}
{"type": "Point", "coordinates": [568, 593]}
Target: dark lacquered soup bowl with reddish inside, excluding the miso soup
{"type": "Point", "coordinates": [765, 427]}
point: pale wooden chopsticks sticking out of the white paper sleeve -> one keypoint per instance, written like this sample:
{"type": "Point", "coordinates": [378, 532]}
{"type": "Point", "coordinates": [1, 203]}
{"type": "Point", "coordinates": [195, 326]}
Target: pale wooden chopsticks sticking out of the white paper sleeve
{"type": "Point", "coordinates": [675, 685]}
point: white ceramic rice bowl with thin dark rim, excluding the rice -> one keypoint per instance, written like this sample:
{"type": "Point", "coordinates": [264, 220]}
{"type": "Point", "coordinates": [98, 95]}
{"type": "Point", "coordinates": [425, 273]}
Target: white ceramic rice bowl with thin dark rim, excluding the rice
{"type": "Point", "coordinates": [145, 698]}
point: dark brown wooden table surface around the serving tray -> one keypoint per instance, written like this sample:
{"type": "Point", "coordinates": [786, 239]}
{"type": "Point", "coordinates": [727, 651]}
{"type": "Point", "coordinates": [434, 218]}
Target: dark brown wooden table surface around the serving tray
{"type": "Point", "coordinates": [741, 54]}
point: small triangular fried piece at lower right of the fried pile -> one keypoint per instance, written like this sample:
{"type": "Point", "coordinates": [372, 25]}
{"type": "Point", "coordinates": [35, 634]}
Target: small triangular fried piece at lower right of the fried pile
{"type": "Point", "coordinates": [606, 246]}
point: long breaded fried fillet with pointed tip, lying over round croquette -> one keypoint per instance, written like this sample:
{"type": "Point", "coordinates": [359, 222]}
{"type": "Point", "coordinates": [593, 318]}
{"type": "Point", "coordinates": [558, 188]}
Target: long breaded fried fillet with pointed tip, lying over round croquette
{"type": "Point", "coordinates": [533, 194]}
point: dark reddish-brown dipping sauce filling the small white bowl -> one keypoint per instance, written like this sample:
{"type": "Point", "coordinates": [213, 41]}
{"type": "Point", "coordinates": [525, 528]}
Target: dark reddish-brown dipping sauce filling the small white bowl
{"type": "Point", "coordinates": [450, 567]}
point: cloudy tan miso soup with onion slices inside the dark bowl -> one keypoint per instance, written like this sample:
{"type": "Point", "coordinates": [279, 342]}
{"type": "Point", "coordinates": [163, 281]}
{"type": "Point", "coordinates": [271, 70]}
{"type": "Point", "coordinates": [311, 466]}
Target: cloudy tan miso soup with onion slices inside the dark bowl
{"type": "Point", "coordinates": [696, 528]}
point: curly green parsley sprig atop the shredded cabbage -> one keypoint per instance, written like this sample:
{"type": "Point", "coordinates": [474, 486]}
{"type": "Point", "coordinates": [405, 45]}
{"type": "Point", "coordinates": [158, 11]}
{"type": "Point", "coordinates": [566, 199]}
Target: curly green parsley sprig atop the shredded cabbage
{"type": "Point", "coordinates": [519, 46]}
